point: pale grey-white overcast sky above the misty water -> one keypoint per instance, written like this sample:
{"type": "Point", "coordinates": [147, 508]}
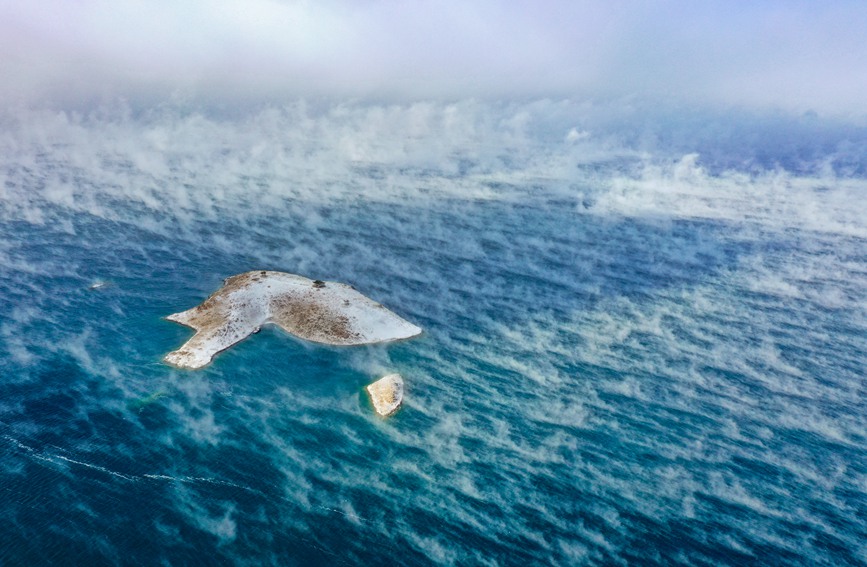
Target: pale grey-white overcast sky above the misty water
{"type": "Point", "coordinates": [796, 55]}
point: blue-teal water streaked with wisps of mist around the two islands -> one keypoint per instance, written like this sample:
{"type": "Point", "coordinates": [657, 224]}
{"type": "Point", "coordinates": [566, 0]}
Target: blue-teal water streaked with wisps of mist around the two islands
{"type": "Point", "coordinates": [594, 385]}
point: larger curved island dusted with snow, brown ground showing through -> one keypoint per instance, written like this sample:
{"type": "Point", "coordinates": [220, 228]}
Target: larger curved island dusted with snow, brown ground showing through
{"type": "Point", "coordinates": [323, 312]}
